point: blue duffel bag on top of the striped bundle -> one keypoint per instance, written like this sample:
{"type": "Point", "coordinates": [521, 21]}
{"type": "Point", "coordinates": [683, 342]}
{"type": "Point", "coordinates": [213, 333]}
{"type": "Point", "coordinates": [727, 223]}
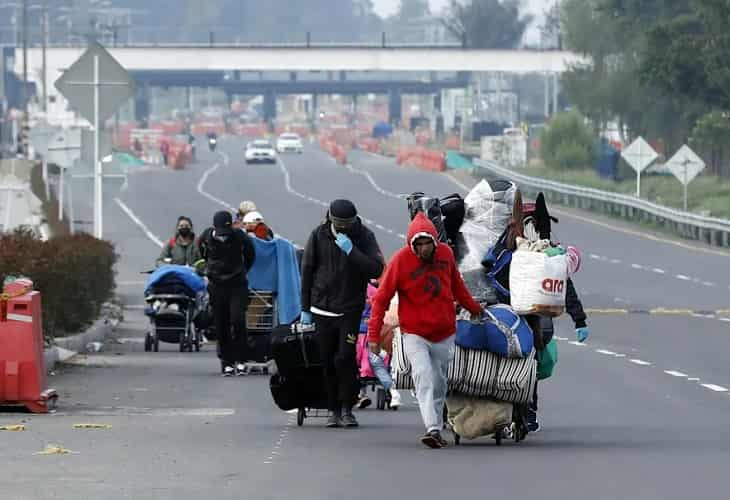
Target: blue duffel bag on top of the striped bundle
{"type": "Point", "coordinates": [501, 331]}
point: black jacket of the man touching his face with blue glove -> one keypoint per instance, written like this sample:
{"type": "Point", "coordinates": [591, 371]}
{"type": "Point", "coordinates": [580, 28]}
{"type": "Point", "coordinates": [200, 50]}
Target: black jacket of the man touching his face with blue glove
{"type": "Point", "coordinates": [336, 282]}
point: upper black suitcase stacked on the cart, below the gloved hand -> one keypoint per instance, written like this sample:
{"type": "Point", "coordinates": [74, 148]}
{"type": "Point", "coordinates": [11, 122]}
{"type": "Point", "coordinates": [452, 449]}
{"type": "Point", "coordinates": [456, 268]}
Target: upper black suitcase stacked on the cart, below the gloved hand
{"type": "Point", "coordinates": [294, 347]}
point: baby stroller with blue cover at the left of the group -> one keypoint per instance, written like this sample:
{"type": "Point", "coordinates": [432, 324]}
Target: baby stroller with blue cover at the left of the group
{"type": "Point", "coordinates": [175, 296]}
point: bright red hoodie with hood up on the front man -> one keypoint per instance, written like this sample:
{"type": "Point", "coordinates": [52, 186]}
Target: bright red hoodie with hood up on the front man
{"type": "Point", "coordinates": [426, 290]}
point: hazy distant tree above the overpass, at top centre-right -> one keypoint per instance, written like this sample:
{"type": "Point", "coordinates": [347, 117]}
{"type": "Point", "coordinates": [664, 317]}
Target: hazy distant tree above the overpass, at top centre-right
{"type": "Point", "coordinates": [487, 24]}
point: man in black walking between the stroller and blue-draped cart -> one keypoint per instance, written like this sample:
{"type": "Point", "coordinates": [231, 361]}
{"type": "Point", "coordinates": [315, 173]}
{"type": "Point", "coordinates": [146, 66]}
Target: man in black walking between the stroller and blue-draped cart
{"type": "Point", "coordinates": [229, 254]}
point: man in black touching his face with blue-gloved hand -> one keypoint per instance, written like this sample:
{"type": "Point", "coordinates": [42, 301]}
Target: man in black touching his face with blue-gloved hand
{"type": "Point", "coordinates": [340, 257]}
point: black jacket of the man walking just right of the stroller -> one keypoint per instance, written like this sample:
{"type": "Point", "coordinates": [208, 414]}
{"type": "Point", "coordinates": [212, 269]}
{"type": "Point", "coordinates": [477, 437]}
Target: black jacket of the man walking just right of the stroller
{"type": "Point", "coordinates": [227, 260]}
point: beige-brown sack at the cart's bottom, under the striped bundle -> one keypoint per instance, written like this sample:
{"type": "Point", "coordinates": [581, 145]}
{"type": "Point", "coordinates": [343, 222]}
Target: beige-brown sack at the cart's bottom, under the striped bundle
{"type": "Point", "coordinates": [475, 417]}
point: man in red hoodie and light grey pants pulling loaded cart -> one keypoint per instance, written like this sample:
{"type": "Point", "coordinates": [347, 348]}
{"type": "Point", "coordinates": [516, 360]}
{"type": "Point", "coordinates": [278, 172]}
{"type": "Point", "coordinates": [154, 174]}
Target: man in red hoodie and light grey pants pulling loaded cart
{"type": "Point", "coordinates": [428, 283]}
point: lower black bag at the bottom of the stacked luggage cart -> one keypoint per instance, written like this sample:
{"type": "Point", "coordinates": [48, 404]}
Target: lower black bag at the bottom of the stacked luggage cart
{"type": "Point", "coordinates": [303, 388]}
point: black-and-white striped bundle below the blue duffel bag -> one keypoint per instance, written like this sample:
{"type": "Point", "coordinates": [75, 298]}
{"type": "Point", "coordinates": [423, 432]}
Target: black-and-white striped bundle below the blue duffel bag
{"type": "Point", "coordinates": [483, 374]}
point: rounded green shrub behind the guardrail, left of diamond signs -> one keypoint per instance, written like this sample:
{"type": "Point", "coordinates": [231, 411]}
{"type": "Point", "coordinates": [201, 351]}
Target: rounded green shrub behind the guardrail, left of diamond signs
{"type": "Point", "coordinates": [567, 143]}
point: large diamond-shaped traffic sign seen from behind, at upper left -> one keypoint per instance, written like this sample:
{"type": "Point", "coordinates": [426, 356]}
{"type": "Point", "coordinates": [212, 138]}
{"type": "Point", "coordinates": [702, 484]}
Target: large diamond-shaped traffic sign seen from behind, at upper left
{"type": "Point", "coordinates": [77, 84]}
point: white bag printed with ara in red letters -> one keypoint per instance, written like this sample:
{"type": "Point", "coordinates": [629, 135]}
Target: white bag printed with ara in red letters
{"type": "Point", "coordinates": [537, 283]}
